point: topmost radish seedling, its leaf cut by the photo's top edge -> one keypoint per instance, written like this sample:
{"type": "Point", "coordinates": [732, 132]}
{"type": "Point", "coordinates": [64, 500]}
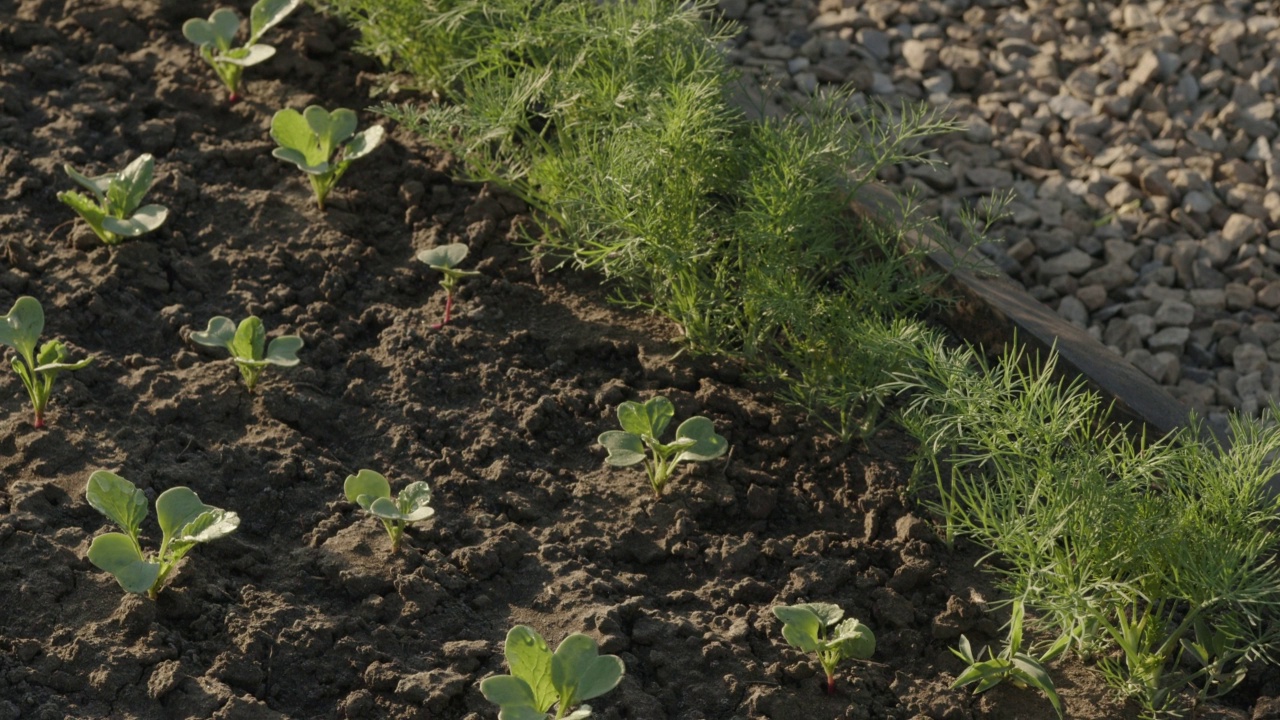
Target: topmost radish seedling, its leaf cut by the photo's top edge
{"type": "Point", "coordinates": [216, 37]}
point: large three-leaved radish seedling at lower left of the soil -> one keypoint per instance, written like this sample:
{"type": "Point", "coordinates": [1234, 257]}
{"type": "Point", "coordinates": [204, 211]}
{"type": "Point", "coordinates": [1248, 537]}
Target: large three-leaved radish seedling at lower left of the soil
{"type": "Point", "coordinates": [185, 523]}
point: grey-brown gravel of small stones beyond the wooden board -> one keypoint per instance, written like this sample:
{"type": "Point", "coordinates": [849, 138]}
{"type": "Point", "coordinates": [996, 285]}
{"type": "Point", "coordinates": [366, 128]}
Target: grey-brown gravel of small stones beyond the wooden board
{"type": "Point", "coordinates": [1140, 142]}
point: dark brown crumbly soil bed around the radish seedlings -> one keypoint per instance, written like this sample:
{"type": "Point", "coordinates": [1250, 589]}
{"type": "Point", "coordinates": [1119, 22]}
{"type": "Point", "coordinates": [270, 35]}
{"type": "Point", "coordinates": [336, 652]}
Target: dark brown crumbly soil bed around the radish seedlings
{"type": "Point", "coordinates": [304, 613]}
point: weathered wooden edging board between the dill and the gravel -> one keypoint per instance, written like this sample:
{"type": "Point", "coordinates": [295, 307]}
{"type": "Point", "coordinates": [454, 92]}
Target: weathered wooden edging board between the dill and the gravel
{"type": "Point", "coordinates": [995, 312]}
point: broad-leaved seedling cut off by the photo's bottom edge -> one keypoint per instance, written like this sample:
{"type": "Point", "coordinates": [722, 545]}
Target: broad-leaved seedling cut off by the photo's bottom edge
{"type": "Point", "coordinates": [541, 680]}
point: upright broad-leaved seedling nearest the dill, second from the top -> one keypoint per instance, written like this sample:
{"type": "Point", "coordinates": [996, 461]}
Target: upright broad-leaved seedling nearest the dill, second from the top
{"type": "Point", "coordinates": [322, 144]}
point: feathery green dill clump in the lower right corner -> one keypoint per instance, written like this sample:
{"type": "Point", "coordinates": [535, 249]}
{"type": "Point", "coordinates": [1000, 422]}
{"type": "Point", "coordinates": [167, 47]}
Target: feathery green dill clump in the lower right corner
{"type": "Point", "coordinates": [1155, 558]}
